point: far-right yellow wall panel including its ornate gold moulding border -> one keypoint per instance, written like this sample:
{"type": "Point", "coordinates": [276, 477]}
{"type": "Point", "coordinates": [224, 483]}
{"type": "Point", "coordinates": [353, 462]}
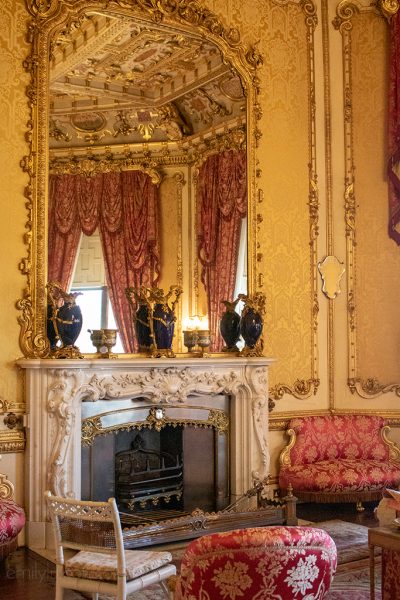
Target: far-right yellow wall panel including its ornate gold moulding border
{"type": "Point", "coordinates": [372, 258]}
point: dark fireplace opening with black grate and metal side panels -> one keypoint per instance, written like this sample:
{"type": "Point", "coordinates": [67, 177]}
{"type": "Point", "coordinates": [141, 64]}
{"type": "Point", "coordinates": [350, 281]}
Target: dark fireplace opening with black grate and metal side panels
{"type": "Point", "coordinates": [156, 475]}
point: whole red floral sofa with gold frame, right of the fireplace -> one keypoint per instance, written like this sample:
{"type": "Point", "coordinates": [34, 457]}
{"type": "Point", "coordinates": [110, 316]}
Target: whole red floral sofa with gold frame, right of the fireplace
{"type": "Point", "coordinates": [339, 458]}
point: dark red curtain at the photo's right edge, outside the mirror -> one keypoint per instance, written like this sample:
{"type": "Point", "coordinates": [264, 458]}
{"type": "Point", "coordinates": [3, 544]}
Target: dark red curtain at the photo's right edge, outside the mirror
{"type": "Point", "coordinates": [394, 130]}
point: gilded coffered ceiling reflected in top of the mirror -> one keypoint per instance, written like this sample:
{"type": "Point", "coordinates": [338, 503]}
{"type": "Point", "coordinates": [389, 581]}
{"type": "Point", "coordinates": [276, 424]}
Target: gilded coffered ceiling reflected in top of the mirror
{"type": "Point", "coordinates": [115, 80]}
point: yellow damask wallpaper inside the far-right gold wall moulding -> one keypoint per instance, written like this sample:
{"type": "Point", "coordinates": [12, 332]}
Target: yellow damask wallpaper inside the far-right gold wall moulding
{"type": "Point", "coordinates": [377, 256]}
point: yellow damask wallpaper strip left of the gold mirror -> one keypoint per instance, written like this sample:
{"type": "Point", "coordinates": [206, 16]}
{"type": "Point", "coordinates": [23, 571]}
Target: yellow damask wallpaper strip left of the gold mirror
{"type": "Point", "coordinates": [13, 118]}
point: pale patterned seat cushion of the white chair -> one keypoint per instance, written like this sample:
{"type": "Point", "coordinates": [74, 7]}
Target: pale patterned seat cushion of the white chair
{"type": "Point", "coordinates": [96, 565]}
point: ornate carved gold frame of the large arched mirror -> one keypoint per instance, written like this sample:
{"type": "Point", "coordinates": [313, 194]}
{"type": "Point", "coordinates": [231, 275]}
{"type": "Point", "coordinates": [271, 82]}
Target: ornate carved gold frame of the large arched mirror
{"type": "Point", "coordinates": [51, 17]}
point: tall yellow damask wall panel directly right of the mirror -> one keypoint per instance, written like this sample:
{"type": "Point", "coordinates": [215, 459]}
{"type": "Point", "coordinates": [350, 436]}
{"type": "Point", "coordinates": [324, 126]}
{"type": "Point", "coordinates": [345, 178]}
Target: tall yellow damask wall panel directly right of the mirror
{"type": "Point", "coordinates": [291, 203]}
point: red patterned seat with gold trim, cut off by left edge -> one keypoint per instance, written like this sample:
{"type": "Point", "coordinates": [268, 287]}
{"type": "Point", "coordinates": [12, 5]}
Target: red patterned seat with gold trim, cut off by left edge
{"type": "Point", "coordinates": [12, 518]}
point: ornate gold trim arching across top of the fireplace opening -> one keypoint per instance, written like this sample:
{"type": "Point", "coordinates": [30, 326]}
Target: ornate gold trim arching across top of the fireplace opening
{"type": "Point", "coordinates": [156, 419]}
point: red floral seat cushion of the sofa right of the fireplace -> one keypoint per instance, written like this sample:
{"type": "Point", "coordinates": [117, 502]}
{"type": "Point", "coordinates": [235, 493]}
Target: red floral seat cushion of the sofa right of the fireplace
{"type": "Point", "coordinates": [337, 476]}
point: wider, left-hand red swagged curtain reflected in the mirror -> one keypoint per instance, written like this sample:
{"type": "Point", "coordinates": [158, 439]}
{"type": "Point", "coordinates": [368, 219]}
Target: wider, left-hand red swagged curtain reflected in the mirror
{"type": "Point", "coordinates": [124, 208]}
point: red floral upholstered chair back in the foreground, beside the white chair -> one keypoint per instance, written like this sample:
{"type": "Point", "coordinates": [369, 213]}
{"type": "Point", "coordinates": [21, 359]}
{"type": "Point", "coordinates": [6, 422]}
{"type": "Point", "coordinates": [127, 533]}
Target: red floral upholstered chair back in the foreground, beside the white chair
{"type": "Point", "coordinates": [280, 563]}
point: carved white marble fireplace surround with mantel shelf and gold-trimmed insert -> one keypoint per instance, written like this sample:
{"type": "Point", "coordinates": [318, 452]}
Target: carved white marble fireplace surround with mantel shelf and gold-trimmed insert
{"type": "Point", "coordinates": [72, 402]}
